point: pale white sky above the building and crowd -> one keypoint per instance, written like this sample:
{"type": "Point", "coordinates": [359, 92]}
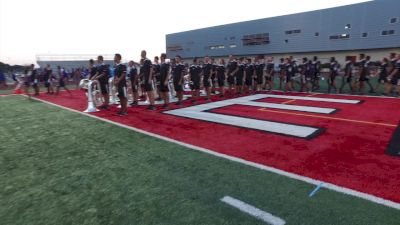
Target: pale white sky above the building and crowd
{"type": "Point", "coordinates": [32, 27]}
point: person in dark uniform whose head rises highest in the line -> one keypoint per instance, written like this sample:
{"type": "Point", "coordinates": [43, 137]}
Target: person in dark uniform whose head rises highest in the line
{"type": "Point", "coordinates": [147, 72]}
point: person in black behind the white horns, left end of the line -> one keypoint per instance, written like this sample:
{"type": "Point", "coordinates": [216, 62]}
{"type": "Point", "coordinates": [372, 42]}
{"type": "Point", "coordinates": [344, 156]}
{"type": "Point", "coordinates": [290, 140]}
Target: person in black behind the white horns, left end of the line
{"type": "Point", "coordinates": [102, 75]}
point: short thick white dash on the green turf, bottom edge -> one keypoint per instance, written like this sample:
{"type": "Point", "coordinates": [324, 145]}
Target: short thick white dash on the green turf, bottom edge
{"type": "Point", "coordinates": [256, 212]}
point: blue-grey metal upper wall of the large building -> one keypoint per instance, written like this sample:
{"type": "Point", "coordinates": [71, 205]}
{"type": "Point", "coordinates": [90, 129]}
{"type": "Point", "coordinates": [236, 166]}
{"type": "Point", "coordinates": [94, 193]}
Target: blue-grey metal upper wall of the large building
{"type": "Point", "coordinates": [369, 17]}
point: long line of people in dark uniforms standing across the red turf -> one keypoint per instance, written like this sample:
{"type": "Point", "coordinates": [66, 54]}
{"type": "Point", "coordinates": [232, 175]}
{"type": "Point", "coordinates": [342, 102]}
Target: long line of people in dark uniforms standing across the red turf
{"type": "Point", "coordinates": [238, 76]}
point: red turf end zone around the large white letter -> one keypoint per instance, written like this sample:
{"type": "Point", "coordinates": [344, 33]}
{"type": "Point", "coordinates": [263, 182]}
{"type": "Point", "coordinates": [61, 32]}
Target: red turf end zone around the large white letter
{"type": "Point", "coordinates": [350, 152]}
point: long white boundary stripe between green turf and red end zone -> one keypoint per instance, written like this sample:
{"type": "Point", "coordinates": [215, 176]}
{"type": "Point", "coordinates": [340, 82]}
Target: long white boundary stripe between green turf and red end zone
{"type": "Point", "coordinates": [309, 180]}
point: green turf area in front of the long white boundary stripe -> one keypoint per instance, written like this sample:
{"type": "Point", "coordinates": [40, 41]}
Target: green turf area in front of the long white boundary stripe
{"type": "Point", "coordinates": [59, 167]}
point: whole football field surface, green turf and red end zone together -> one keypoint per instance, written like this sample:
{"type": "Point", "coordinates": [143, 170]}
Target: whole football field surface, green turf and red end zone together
{"type": "Point", "coordinates": [182, 166]}
